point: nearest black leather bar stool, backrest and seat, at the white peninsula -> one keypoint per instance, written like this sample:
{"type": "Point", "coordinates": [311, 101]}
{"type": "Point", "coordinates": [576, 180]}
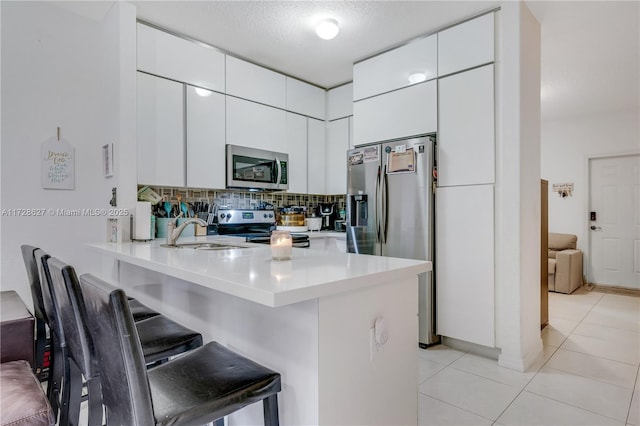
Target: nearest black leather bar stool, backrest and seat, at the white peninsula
{"type": "Point", "coordinates": [202, 386]}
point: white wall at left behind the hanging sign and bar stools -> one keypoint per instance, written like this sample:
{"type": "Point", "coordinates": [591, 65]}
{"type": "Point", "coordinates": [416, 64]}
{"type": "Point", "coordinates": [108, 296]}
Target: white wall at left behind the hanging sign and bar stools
{"type": "Point", "coordinates": [58, 69]}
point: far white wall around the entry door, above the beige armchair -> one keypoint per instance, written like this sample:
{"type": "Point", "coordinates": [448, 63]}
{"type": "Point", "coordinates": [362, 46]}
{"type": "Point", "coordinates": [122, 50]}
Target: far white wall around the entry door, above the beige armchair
{"type": "Point", "coordinates": [566, 146]}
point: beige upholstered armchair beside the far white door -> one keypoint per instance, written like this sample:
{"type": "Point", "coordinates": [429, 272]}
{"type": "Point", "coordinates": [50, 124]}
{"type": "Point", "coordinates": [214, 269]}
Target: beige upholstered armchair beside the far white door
{"type": "Point", "coordinates": [565, 263]}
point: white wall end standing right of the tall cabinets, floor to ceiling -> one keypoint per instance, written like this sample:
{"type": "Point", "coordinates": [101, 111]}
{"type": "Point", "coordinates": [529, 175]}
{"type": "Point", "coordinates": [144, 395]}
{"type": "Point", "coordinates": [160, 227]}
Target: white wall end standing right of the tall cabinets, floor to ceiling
{"type": "Point", "coordinates": [517, 188]}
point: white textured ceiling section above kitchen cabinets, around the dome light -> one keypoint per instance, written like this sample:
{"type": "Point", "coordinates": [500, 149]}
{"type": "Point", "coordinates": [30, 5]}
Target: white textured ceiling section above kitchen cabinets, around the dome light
{"type": "Point", "coordinates": [280, 34]}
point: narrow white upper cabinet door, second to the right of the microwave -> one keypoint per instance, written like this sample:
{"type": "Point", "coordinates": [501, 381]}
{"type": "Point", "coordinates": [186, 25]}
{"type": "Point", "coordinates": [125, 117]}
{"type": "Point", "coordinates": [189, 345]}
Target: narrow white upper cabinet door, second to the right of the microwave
{"type": "Point", "coordinates": [316, 152]}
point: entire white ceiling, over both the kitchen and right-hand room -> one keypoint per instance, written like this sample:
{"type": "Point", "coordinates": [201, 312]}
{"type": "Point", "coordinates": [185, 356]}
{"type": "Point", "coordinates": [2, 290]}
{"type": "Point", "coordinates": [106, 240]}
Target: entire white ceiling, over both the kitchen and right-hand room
{"type": "Point", "coordinates": [590, 49]}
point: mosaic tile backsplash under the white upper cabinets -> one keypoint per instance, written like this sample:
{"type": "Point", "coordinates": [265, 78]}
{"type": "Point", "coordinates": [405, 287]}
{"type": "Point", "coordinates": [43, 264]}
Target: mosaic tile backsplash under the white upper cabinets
{"type": "Point", "coordinates": [248, 200]}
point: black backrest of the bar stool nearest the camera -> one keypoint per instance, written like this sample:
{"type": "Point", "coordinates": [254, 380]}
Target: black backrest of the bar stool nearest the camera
{"type": "Point", "coordinates": [125, 387]}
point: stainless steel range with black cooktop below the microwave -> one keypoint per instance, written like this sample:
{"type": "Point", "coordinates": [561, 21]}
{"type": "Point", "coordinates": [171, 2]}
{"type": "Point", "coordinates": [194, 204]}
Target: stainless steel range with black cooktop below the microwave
{"type": "Point", "coordinates": [255, 225]}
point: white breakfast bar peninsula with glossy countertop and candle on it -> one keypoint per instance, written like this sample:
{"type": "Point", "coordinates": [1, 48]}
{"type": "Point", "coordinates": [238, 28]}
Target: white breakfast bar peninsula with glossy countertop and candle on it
{"type": "Point", "coordinates": [341, 329]}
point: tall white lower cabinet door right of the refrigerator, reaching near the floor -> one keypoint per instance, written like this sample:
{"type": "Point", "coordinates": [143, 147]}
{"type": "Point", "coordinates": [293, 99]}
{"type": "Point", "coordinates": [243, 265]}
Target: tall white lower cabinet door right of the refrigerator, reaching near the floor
{"type": "Point", "coordinates": [465, 306]}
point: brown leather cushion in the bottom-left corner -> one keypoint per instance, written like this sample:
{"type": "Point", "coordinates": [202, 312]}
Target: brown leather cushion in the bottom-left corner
{"type": "Point", "coordinates": [22, 400]}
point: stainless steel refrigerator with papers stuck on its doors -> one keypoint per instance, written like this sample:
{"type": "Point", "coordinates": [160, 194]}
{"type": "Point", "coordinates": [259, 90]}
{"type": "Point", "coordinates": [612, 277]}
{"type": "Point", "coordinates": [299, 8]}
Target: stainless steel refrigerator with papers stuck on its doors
{"type": "Point", "coordinates": [390, 210]}
